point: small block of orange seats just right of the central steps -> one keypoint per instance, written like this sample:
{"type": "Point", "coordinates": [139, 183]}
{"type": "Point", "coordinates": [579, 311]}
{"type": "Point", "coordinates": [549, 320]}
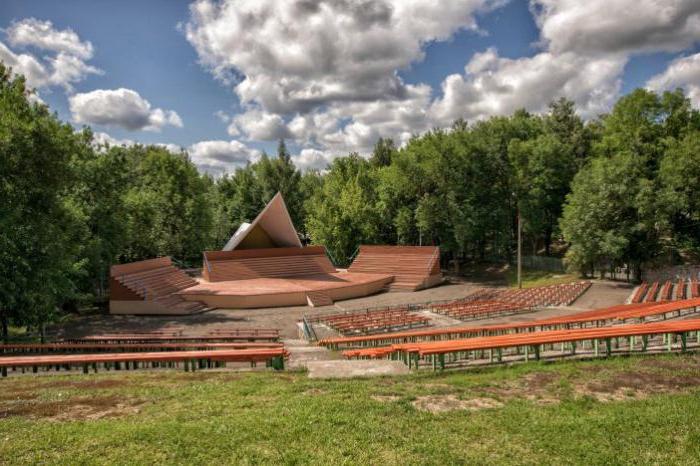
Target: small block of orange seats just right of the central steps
{"type": "Point", "coordinates": [372, 321]}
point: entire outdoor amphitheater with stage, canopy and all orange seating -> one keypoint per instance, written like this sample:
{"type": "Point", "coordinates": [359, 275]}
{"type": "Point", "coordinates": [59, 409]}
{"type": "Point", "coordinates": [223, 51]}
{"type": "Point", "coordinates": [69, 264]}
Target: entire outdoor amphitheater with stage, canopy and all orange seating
{"type": "Point", "coordinates": [266, 302]}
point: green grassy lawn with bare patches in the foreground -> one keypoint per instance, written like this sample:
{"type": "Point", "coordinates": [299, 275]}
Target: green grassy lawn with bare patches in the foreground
{"type": "Point", "coordinates": [618, 411]}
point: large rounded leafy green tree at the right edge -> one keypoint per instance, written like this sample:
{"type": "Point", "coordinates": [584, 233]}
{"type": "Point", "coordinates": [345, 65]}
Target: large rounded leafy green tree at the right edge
{"type": "Point", "coordinates": [623, 208]}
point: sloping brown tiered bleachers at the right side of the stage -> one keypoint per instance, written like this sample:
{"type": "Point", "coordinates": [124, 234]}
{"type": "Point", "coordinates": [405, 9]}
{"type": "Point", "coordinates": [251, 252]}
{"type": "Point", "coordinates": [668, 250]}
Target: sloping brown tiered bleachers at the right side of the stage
{"type": "Point", "coordinates": [413, 267]}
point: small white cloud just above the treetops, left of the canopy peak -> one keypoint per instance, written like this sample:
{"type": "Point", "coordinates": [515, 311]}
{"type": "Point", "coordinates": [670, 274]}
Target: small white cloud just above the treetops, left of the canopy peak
{"type": "Point", "coordinates": [219, 157]}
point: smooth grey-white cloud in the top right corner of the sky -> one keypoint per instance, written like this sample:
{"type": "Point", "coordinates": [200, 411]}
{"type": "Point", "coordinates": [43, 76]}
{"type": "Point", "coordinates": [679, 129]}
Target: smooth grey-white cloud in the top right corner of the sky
{"type": "Point", "coordinates": [619, 26]}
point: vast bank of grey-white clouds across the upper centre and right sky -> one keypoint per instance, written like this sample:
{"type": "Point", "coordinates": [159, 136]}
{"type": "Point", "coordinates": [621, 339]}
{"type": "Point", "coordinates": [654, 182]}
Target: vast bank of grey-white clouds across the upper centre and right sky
{"type": "Point", "coordinates": [326, 73]}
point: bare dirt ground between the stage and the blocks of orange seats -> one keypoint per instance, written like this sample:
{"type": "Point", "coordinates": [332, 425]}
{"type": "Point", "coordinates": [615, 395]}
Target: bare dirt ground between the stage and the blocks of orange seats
{"type": "Point", "coordinates": [601, 294]}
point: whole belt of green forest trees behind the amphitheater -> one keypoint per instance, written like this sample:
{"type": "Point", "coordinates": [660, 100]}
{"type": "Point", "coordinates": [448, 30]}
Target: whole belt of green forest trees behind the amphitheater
{"type": "Point", "coordinates": [617, 190]}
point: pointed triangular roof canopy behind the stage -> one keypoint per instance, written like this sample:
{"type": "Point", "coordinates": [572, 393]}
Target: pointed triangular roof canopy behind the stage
{"type": "Point", "coordinates": [272, 228]}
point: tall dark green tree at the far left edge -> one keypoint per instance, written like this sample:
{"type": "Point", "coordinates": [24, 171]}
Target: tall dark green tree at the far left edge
{"type": "Point", "coordinates": [39, 243]}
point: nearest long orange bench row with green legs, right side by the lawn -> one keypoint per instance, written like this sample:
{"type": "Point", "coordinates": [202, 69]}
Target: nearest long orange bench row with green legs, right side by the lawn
{"type": "Point", "coordinates": [669, 336]}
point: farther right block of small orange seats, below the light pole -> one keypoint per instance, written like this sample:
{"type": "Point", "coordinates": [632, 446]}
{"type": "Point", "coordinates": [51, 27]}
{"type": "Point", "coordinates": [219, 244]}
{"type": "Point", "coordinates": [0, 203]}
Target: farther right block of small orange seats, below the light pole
{"type": "Point", "coordinates": [551, 295]}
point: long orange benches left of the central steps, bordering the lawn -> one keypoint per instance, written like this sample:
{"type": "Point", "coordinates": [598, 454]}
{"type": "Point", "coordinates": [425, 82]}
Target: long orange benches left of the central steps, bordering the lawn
{"type": "Point", "coordinates": [156, 349]}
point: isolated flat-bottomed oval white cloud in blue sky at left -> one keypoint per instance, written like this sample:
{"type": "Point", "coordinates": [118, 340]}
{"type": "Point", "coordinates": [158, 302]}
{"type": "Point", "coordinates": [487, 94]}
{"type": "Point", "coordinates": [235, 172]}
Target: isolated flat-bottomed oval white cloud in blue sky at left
{"type": "Point", "coordinates": [124, 108]}
